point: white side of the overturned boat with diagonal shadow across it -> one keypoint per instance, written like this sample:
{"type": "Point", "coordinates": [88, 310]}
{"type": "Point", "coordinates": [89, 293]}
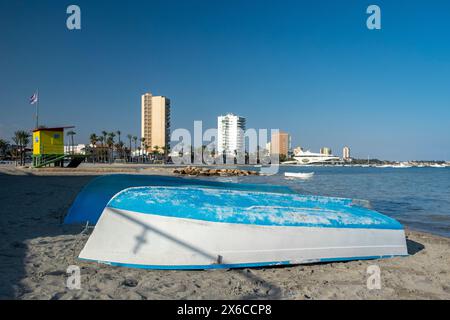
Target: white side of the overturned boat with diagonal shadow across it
{"type": "Point", "coordinates": [141, 240]}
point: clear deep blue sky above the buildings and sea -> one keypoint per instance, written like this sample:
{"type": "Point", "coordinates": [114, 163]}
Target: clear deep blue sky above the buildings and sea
{"type": "Point", "coordinates": [310, 68]}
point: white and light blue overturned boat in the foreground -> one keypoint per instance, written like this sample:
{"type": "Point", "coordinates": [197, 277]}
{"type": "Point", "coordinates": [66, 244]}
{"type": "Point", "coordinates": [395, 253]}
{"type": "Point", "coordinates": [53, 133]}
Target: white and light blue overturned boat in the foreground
{"type": "Point", "coordinates": [193, 227]}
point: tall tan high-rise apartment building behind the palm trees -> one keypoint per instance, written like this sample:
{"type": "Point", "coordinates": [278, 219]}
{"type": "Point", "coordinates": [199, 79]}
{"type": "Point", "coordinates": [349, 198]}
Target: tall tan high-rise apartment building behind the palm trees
{"type": "Point", "coordinates": [155, 122]}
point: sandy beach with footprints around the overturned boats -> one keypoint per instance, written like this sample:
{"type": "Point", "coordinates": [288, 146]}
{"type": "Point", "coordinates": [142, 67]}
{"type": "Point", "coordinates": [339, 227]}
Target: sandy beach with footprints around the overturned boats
{"type": "Point", "coordinates": [36, 250]}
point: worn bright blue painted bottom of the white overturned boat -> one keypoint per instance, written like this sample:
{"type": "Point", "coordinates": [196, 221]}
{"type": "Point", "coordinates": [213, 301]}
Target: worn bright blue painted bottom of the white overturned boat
{"type": "Point", "coordinates": [249, 207]}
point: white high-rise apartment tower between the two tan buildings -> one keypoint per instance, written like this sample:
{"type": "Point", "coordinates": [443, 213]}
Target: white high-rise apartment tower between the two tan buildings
{"type": "Point", "coordinates": [230, 134]}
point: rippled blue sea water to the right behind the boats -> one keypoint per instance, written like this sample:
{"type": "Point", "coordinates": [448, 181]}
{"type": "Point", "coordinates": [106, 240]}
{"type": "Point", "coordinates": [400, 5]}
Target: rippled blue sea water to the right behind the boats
{"type": "Point", "coordinates": [417, 197]}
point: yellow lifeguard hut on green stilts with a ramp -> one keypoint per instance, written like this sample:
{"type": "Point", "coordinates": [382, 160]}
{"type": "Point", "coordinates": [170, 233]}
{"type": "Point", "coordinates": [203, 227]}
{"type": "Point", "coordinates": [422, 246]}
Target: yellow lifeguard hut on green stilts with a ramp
{"type": "Point", "coordinates": [48, 148]}
